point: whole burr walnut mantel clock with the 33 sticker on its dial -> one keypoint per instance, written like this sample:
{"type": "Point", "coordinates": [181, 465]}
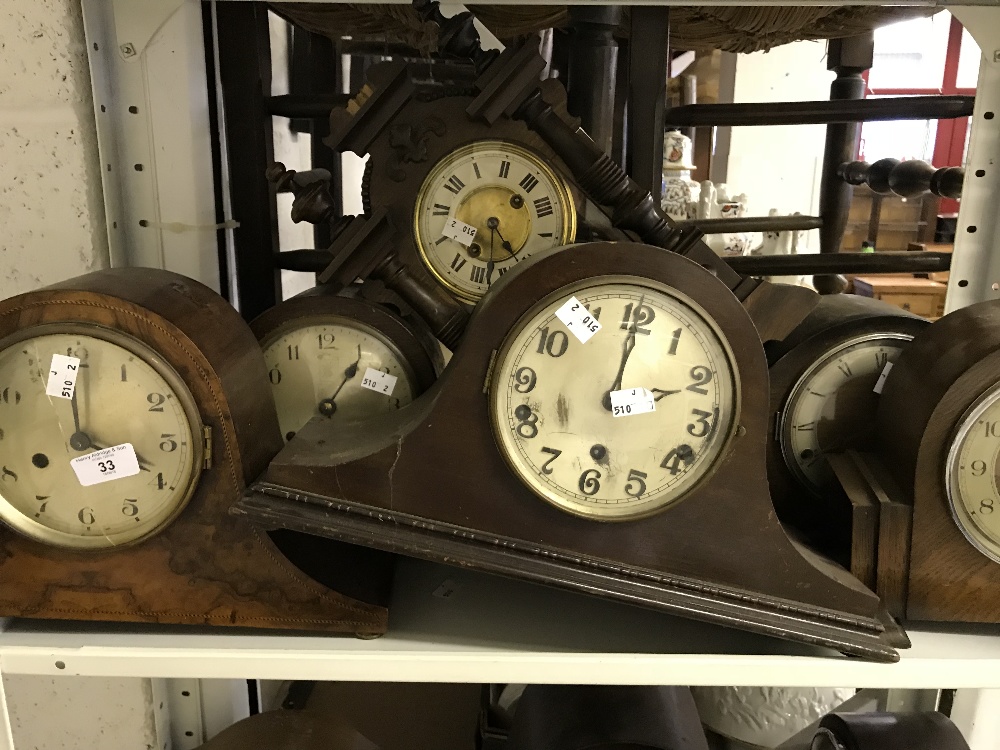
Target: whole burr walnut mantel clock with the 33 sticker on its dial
{"type": "Point", "coordinates": [134, 407]}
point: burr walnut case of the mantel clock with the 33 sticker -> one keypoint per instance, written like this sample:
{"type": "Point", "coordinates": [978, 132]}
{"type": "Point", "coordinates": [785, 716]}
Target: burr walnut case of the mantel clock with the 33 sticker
{"type": "Point", "coordinates": [207, 567]}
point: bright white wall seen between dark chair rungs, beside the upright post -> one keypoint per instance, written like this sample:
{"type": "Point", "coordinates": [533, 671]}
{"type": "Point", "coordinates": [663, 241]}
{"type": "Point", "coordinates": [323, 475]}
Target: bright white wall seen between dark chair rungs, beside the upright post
{"type": "Point", "coordinates": [779, 166]}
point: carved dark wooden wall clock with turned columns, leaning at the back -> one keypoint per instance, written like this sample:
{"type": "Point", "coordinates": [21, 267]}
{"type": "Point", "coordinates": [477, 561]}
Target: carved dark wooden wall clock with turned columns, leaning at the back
{"type": "Point", "coordinates": [511, 179]}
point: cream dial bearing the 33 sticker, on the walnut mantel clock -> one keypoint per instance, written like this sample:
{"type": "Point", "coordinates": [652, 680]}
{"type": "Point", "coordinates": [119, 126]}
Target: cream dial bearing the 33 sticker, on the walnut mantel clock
{"type": "Point", "coordinates": [124, 393]}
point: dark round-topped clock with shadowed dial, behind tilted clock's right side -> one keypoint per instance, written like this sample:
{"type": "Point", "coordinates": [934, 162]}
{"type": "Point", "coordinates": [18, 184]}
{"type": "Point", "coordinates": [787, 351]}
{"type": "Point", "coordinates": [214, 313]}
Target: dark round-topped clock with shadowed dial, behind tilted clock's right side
{"type": "Point", "coordinates": [825, 383]}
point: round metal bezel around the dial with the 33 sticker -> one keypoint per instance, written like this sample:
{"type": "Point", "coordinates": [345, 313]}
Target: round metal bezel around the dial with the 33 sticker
{"type": "Point", "coordinates": [25, 526]}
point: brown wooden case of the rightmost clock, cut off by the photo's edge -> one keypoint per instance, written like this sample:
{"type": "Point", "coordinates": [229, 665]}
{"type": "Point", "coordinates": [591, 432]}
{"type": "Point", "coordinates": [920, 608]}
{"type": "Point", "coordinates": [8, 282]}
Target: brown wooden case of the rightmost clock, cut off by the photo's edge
{"type": "Point", "coordinates": [938, 574]}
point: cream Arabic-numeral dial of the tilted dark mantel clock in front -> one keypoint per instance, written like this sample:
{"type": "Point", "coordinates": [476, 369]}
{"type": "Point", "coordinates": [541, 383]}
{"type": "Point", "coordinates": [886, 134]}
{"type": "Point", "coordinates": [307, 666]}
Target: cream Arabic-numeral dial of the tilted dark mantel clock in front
{"type": "Point", "coordinates": [552, 412]}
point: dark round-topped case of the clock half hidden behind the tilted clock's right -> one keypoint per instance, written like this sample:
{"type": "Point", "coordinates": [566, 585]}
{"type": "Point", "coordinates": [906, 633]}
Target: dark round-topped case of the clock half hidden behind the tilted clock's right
{"type": "Point", "coordinates": [827, 521]}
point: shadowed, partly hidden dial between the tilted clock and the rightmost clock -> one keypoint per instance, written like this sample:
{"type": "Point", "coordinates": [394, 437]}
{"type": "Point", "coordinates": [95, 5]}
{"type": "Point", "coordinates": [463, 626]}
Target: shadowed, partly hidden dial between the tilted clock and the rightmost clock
{"type": "Point", "coordinates": [832, 406]}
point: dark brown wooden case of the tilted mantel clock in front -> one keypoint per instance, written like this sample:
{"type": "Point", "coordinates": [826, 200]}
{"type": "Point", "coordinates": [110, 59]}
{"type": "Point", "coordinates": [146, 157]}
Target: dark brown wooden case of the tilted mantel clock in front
{"type": "Point", "coordinates": [429, 481]}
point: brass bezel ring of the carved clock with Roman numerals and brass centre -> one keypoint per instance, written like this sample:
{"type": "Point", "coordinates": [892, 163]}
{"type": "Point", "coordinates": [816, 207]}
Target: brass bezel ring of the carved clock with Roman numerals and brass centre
{"type": "Point", "coordinates": [564, 196]}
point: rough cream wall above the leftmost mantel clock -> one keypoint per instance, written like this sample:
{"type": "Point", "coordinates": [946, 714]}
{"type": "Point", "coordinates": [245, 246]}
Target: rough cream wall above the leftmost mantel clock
{"type": "Point", "coordinates": [51, 208]}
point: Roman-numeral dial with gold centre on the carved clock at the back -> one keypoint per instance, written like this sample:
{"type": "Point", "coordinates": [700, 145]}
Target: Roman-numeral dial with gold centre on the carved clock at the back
{"type": "Point", "coordinates": [486, 207]}
